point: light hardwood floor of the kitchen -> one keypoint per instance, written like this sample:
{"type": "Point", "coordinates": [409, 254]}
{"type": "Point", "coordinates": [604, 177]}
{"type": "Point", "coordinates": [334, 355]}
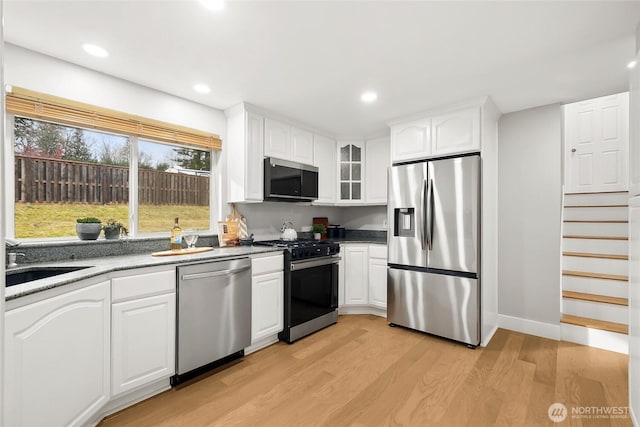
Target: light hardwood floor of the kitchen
{"type": "Point", "coordinates": [361, 372]}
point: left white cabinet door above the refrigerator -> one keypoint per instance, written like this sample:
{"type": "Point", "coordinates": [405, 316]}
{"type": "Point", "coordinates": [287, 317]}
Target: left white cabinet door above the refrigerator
{"type": "Point", "coordinates": [411, 140]}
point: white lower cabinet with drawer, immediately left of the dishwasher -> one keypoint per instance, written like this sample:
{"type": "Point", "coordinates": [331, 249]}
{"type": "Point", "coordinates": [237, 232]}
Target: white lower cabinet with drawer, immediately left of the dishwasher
{"type": "Point", "coordinates": [143, 324]}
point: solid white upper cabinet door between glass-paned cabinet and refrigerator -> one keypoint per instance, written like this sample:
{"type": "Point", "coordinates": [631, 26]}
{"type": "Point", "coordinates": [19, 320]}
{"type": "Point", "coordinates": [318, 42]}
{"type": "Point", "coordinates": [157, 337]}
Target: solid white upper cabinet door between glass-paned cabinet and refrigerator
{"type": "Point", "coordinates": [377, 162]}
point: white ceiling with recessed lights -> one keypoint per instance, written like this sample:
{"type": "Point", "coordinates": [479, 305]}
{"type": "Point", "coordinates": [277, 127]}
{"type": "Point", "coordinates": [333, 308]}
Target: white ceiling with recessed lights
{"type": "Point", "coordinates": [310, 60]}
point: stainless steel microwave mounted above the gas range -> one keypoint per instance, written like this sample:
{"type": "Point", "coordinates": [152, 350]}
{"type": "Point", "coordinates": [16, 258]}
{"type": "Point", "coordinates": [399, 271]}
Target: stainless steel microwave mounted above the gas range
{"type": "Point", "coordinates": [287, 181]}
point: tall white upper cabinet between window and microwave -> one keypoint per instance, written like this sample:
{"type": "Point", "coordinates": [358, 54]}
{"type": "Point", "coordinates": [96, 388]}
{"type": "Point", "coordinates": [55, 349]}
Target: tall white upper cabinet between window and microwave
{"type": "Point", "coordinates": [244, 152]}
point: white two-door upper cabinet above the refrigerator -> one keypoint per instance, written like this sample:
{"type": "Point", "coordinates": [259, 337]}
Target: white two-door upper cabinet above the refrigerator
{"type": "Point", "coordinates": [454, 132]}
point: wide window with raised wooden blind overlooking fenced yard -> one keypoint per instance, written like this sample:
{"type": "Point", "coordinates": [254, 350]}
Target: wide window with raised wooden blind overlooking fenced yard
{"type": "Point", "coordinates": [73, 160]}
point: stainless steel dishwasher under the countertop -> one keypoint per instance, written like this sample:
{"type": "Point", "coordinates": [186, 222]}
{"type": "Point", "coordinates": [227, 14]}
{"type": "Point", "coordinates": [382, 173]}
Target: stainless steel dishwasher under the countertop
{"type": "Point", "coordinates": [213, 315]}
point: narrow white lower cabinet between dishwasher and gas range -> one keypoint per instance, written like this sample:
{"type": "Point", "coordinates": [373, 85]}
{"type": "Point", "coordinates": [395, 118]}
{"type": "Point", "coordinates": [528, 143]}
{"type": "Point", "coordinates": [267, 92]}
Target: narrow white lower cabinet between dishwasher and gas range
{"type": "Point", "coordinates": [267, 297]}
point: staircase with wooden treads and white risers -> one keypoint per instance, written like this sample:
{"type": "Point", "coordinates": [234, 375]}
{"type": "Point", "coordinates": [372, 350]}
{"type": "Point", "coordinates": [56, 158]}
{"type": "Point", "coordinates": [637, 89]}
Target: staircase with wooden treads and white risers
{"type": "Point", "coordinates": [594, 270]}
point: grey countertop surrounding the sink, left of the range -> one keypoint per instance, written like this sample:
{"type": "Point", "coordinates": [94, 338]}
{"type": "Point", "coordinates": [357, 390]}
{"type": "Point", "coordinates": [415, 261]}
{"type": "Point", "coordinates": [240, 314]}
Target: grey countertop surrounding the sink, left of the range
{"type": "Point", "coordinates": [103, 265]}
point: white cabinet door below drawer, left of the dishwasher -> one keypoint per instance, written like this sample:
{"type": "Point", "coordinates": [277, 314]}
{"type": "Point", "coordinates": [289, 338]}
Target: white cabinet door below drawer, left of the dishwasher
{"type": "Point", "coordinates": [143, 341]}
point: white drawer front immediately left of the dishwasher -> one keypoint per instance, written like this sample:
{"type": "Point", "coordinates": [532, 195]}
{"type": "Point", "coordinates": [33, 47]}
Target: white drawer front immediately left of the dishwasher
{"type": "Point", "coordinates": [135, 286]}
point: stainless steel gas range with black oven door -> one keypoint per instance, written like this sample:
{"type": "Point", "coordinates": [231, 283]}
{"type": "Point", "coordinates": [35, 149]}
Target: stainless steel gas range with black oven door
{"type": "Point", "coordinates": [310, 285]}
